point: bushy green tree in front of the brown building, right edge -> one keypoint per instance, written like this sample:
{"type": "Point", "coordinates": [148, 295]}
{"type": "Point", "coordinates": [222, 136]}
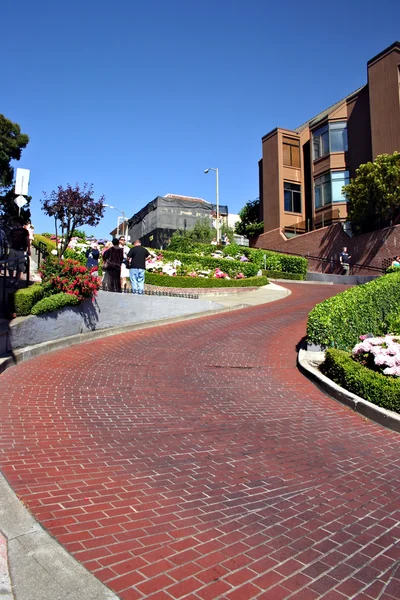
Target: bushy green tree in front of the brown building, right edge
{"type": "Point", "coordinates": [374, 194]}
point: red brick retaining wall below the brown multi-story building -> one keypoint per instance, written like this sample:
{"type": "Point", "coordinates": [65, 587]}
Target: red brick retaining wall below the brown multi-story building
{"type": "Point", "coordinates": [375, 249]}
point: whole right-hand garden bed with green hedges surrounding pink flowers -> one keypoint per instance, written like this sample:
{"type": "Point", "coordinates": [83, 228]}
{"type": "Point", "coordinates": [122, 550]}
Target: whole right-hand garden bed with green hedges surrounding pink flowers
{"type": "Point", "coordinates": [360, 330]}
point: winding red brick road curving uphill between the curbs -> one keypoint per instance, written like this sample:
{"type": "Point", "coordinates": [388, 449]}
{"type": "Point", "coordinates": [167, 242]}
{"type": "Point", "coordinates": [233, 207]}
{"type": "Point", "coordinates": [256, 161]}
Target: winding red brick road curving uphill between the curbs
{"type": "Point", "coordinates": [195, 461]}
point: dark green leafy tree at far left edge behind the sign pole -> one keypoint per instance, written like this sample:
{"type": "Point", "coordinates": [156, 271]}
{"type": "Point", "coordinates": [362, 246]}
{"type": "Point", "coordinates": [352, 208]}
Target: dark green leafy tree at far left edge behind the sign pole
{"type": "Point", "coordinates": [12, 142]}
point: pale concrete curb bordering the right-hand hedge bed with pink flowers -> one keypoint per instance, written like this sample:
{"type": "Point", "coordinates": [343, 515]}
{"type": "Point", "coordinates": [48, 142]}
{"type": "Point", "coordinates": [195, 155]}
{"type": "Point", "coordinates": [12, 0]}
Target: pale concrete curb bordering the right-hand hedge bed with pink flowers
{"type": "Point", "coordinates": [309, 362]}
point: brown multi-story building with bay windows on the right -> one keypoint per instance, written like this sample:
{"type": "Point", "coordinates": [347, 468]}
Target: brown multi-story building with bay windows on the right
{"type": "Point", "coordinates": [302, 172]}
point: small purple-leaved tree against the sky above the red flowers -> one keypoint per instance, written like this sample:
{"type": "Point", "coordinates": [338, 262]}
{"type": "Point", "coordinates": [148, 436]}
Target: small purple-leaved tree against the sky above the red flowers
{"type": "Point", "coordinates": [71, 208]}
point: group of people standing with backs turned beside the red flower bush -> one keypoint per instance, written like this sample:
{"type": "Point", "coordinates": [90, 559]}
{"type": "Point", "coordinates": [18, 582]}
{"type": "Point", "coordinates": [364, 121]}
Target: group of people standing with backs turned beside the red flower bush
{"type": "Point", "coordinates": [119, 263]}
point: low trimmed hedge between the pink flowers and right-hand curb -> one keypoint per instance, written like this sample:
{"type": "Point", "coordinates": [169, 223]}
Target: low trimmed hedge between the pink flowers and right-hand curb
{"type": "Point", "coordinates": [379, 389]}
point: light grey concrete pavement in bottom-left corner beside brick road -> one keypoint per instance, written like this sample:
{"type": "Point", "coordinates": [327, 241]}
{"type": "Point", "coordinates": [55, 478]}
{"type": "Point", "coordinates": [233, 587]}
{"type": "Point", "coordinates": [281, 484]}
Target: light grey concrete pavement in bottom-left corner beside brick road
{"type": "Point", "coordinates": [39, 567]}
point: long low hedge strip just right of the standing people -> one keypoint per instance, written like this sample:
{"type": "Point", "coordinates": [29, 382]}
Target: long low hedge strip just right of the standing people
{"type": "Point", "coordinates": [202, 282]}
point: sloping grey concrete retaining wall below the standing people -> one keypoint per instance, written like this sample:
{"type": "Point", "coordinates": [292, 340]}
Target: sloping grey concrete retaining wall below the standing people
{"type": "Point", "coordinates": [108, 310]}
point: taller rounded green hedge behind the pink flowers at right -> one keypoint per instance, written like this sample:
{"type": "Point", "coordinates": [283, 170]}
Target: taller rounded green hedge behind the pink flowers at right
{"type": "Point", "coordinates": [339, 321]}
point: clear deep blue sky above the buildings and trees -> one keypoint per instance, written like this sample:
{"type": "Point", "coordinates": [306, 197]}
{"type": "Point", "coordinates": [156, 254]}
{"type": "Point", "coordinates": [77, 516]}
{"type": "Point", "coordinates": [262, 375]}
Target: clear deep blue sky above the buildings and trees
{"type": "Point", "coordinates": [139, 98]}
